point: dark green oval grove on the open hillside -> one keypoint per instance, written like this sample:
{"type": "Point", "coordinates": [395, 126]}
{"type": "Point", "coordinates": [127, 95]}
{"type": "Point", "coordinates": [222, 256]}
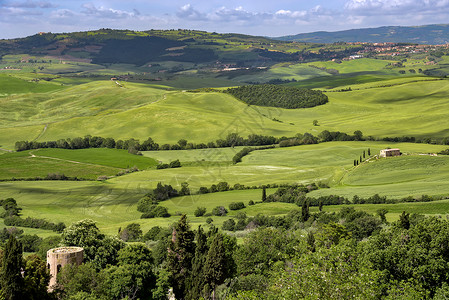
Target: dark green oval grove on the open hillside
{"type": "Point", "coordinates": [278, 96]}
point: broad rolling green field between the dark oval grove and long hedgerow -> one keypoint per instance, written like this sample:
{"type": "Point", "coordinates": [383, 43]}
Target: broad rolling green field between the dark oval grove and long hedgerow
{"type": "Point", "coordinates": [138, 111]}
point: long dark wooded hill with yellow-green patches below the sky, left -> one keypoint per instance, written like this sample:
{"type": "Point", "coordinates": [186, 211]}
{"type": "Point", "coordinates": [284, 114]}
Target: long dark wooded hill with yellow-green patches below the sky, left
{"type": "Point", "coordinates": [107, 46]}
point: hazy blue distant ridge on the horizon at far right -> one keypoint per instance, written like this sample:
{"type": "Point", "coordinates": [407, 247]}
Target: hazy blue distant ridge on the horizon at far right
{"type": "Point", "coordinates": [428, 34]}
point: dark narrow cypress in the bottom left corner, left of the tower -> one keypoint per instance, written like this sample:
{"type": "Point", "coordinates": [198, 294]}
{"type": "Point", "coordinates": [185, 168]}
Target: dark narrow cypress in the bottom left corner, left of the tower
{"type": "Point", "coordinates": [12, 282]}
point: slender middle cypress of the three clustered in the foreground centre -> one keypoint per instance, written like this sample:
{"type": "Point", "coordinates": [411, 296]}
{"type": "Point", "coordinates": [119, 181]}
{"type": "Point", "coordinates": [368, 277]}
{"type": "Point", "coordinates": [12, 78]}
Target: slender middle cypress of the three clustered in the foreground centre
{"type": "Point", "coordinates": [197, 277]}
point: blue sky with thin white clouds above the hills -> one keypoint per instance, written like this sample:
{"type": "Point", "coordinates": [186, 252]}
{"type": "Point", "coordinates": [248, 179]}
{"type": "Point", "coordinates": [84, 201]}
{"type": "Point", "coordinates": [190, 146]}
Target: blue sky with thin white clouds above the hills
{"type": "Point", "coordinates": [20, 18]}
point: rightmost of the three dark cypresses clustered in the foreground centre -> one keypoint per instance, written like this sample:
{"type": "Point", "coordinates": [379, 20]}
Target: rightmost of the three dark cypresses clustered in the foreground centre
{"type": "Point", "coordinates": [214, 267]}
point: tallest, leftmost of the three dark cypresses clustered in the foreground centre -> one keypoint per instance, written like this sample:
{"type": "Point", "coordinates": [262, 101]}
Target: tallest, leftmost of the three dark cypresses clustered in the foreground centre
{"type": "Point", "coordinates": [179, 259]}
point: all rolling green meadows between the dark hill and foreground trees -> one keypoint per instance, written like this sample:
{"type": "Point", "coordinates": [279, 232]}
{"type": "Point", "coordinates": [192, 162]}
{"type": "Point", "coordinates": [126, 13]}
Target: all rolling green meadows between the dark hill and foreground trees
{"type": "Point", "coordinates": [381, 103]}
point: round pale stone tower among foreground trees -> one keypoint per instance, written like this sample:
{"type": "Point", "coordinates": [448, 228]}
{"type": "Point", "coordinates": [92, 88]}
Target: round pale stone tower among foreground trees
{"type": "Point", "coordinates": [59, 257]}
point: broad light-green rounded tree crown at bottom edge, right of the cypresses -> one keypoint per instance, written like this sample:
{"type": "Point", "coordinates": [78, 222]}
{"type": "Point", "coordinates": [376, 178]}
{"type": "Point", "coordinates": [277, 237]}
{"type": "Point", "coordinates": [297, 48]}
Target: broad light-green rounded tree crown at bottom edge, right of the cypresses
{"type": "Point", "coordinates": [325, 274]}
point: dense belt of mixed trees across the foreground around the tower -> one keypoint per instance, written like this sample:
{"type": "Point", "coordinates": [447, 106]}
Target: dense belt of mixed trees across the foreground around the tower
{"type": "Point", "coordinates": [347, 254]}
